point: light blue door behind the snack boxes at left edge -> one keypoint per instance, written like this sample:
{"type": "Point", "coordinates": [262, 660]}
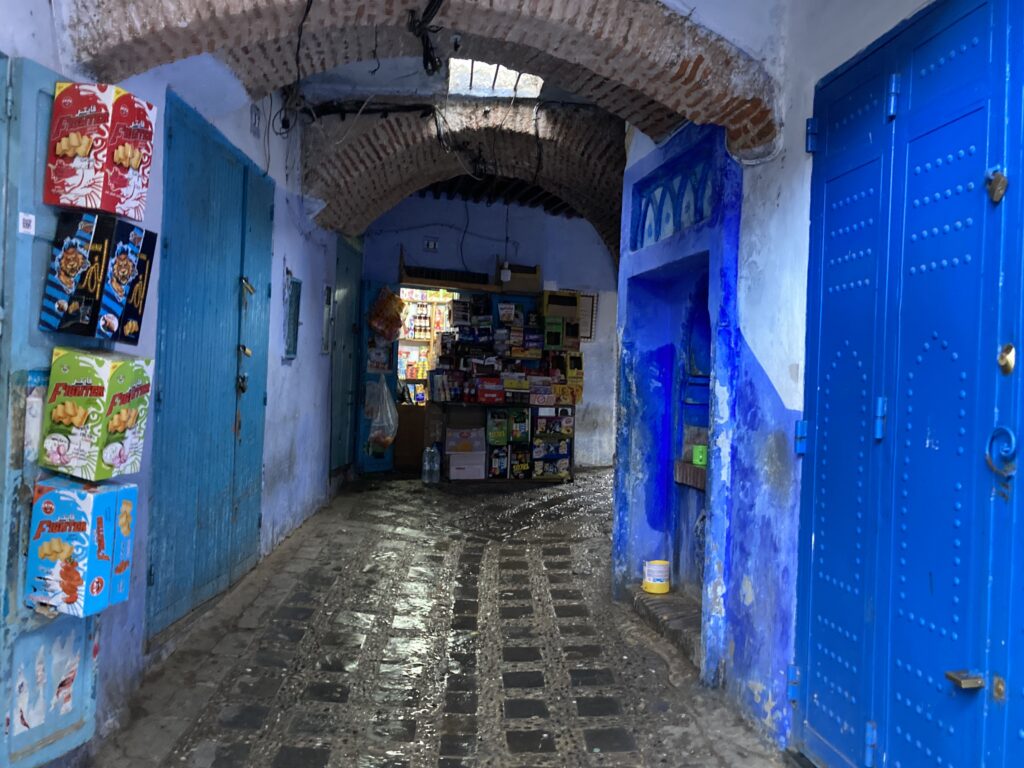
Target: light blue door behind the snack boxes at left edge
{"type": "Point", "coordinates": [48, 666]}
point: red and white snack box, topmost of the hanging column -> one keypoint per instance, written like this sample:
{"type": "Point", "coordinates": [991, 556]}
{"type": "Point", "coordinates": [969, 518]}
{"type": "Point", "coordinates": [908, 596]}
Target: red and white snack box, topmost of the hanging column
{"type": "Point", "coordinates": [101, 150]}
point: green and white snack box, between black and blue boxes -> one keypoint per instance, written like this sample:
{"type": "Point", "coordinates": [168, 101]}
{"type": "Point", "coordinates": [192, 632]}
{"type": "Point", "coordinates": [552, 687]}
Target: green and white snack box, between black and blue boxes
{"type": "Point", "coordinates": [96, 414]}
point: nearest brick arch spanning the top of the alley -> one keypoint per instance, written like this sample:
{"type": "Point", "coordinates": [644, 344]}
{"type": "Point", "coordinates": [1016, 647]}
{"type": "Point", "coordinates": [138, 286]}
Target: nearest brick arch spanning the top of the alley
{"type": "Point", "coordinates": [630, 57]}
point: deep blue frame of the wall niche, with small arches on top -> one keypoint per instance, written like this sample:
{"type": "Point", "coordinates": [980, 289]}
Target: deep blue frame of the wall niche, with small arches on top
{"type": "Point", "coordinates": [680, 223]}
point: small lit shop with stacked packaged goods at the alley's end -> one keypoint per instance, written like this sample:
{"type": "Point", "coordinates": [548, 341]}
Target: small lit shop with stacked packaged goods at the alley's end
{"type": "Point", "coordinates": [491, 377]}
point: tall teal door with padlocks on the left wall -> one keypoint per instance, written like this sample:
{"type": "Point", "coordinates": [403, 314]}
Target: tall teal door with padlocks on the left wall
{"type": "Point", "coordinates": [208, 438]}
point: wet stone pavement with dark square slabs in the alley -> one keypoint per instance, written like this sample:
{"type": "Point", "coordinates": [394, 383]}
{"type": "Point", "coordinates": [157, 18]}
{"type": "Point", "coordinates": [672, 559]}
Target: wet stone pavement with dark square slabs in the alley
{"type": "Point", "coordinates": [411, 627]}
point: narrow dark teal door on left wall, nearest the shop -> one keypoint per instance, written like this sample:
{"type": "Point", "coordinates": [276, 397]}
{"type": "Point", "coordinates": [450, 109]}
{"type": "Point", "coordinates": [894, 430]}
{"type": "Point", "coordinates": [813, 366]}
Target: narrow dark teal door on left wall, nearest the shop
{"type": "Point", "coordinates": [345, 352]}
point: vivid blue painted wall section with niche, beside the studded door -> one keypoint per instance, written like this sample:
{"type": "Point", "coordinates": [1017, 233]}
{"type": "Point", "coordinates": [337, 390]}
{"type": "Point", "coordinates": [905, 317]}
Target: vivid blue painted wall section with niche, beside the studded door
{"type": "Point", "coordinates": [744, 569]}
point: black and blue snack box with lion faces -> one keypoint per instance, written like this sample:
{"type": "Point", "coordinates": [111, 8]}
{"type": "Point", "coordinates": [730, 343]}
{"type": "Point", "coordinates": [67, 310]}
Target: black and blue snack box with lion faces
{"type": "Point", "coordinates": [99, 279]}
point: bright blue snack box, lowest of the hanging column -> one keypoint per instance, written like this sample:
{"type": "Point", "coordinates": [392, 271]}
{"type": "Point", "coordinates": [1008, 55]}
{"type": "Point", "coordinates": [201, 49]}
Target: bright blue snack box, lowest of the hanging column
{"type": "Point", "coordinates": [80, 545]}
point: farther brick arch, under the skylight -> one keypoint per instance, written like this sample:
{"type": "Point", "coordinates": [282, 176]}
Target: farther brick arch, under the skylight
{"type": "Point", "coordinates": [576, 154]}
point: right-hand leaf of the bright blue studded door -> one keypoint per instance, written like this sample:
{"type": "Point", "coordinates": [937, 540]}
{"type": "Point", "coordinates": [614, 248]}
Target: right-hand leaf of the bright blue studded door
{"type": "Point", "coordinates": [947, 252]}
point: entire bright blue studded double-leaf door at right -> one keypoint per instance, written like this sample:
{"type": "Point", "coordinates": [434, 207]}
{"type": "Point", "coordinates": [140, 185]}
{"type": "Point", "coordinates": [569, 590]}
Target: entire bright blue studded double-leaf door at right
{"type": "Point", "coordinates": [910, 409]}
